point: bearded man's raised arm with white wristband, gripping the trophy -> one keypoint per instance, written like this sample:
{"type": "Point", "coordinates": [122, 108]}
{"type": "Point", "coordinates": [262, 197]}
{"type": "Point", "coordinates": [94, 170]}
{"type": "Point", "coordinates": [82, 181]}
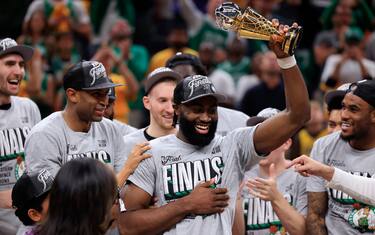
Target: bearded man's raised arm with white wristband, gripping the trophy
{"type": "Point", "coordinates": [273, 132]}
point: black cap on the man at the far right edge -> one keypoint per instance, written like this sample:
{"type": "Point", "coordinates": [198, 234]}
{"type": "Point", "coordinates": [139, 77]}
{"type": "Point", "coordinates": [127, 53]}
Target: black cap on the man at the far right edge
{"type": "Point", "coordinates": [365, 89]}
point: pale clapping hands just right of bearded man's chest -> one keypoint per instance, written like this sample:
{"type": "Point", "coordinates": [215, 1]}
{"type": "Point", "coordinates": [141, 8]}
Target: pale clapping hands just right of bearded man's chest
{"type": "Point", "coordinates": [265, 189]}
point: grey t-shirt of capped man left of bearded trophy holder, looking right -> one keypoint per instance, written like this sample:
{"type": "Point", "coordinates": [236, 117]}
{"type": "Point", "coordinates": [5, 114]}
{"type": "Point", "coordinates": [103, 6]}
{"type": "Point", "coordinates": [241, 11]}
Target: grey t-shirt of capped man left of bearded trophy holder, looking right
{"type": "Point", "coordinates": [52, 143]}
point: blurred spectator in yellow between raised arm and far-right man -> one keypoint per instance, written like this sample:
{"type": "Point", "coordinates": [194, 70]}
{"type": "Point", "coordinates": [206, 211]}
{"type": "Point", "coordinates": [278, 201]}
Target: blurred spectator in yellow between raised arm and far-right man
{"type": "Point", "coordinates": [314, 129]}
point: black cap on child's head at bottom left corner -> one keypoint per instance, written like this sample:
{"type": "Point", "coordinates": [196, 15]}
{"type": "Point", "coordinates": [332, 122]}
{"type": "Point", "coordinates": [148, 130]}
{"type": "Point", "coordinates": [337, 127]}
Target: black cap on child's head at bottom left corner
{"type": "Point", "coordinates": [30, 187]}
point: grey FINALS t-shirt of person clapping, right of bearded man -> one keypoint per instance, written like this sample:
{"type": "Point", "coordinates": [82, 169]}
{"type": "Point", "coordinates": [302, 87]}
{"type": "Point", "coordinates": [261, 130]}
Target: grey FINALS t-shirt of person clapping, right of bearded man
{"type": "Point", "coordinates": [260, 218]}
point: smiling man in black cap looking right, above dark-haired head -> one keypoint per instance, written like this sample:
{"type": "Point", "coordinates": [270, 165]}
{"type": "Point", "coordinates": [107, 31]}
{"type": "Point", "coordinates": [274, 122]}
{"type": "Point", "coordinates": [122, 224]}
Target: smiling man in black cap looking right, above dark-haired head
{"type": "Point", "coordinates": [79, 130]}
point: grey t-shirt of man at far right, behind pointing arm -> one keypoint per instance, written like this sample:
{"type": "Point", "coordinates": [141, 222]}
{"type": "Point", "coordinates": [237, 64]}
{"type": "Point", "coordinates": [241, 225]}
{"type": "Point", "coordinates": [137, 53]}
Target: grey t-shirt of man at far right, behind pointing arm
{"type": "Point", "coordinates": [345, 215]}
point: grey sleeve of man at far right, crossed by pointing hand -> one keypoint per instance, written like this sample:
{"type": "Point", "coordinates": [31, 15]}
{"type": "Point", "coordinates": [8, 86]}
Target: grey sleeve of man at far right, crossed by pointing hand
{"type": "Point", "coordinates": [315, 183]}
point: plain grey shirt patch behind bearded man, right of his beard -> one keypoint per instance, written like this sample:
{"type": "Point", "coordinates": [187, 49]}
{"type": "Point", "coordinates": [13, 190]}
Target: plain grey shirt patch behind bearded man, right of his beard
{"type": "Point", "coordinates": [229, 120]}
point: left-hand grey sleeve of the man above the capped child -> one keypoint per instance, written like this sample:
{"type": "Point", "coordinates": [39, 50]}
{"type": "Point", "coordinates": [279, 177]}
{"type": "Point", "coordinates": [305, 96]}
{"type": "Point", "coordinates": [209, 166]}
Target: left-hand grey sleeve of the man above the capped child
{"type": "Point", "coordinates": [42, 151]}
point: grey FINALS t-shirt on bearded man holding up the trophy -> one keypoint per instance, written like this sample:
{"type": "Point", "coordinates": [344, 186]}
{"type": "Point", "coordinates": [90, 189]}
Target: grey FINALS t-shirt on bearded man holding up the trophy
{"type": "Point", "coordinates": [176, 167]}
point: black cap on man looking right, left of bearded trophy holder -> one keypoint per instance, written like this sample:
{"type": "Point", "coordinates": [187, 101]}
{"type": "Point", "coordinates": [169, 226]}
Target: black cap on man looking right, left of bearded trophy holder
{"type": "Point", "coordinates": [87, 75]}
